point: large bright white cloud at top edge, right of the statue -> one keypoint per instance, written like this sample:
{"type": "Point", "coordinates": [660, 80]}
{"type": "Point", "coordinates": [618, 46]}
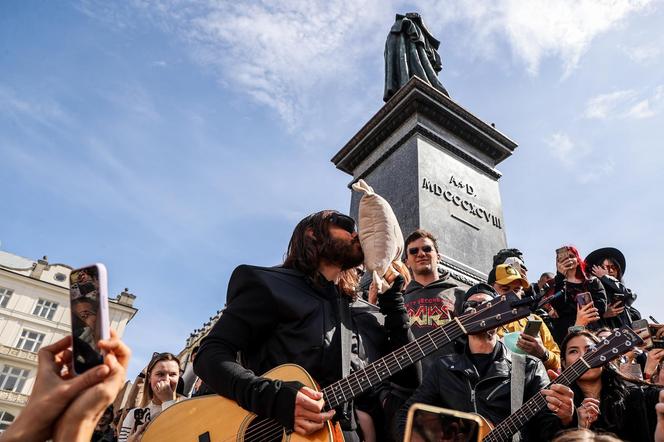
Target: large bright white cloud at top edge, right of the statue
{"type": "Point", "coordinates": [536, 29]}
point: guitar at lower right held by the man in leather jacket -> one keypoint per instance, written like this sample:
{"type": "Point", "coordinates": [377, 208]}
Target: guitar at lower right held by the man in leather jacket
{"type": "Point", "coordinates": [620, 342]}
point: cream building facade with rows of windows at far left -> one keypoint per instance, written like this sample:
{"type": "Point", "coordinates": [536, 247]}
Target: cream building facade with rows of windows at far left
{"type": "Point", "coordinates": [34, 312]}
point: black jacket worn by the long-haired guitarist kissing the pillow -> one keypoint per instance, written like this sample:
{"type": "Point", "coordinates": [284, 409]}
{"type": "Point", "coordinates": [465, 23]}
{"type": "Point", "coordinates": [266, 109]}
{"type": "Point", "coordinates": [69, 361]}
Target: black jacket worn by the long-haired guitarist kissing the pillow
{"type": "Point", "coordinates": [276, 316]}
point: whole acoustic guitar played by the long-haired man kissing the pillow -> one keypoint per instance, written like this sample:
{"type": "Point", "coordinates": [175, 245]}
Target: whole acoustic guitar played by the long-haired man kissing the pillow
{"type": "Point", "coordinates": [217, 419]}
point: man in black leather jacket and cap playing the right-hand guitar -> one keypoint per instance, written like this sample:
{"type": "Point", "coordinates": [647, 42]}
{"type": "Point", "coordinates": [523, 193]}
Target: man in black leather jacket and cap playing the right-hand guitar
{"type": "Point", "coordinates": [479, 380]}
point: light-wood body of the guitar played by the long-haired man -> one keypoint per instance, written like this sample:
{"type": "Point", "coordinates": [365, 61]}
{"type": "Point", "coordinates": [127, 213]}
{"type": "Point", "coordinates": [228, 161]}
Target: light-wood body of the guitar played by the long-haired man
{"type": "Point", "coordinates": [215, 419]}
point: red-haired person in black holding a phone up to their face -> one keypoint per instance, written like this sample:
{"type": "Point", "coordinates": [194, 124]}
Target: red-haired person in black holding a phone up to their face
{"type": "Point", "coordinates": [583, 301]}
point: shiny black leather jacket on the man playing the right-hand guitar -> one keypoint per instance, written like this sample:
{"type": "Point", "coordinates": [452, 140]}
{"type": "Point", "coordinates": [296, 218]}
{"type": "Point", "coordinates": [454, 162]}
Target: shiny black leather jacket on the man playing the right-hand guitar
{"type": "Point", "coordinates": [453, 382]}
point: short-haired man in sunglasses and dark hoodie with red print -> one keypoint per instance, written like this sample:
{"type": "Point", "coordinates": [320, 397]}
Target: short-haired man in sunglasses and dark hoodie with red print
{"type": "Point", "coordinates": [431, 296]}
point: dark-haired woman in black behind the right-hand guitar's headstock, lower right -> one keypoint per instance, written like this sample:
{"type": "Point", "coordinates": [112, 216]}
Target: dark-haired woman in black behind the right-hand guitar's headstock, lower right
{"type": "Point", "coordinates": [605, 400]}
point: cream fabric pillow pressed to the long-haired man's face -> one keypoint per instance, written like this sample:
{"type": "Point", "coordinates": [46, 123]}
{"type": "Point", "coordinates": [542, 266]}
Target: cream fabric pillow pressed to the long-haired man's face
{"type": "Point", "coordinates": [379, 232]}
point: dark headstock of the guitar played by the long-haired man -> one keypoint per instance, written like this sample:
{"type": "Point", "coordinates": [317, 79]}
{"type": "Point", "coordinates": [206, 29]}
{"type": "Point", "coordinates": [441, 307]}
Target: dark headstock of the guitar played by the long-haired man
{"type": "Point", "coordinates": [492, 314]}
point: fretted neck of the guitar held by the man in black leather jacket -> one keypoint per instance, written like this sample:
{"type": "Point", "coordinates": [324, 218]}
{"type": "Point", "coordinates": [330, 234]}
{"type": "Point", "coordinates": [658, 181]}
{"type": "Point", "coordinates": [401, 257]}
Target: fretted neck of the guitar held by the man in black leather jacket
{"type": "Point", "coordinates": [507, 428]}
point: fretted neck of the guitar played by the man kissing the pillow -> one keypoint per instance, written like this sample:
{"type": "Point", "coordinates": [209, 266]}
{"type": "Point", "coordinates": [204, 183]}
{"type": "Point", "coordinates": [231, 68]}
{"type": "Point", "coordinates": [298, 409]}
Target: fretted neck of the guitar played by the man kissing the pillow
{"type": "Point", "coordinates": [373, 374]}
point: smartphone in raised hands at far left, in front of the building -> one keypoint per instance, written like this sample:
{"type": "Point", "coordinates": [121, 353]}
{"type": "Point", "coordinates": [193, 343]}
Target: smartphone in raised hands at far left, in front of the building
{"type": "Point", "coordinates": [88, 298]}
